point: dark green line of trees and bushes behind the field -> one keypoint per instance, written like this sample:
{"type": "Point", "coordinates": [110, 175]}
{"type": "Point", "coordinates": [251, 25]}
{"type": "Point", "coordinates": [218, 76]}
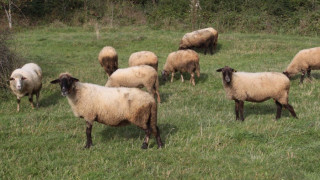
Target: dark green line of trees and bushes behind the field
{"type": "Point", "coordinates": [272, 16]}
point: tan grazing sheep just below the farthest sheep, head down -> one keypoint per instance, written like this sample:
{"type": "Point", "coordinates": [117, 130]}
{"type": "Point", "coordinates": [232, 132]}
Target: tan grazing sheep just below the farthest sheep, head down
{"type": "Point", "coordinates": [182, 61]}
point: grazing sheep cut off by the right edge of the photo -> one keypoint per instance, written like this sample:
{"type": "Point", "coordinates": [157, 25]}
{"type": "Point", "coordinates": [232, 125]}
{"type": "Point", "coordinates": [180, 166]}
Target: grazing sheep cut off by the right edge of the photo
{"type": "Point", "coordinates": [304, 61]}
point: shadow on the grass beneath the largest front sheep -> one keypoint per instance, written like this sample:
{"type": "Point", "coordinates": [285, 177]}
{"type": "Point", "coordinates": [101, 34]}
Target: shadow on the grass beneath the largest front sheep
{"type": "Point", "coordinates": [134, 132]}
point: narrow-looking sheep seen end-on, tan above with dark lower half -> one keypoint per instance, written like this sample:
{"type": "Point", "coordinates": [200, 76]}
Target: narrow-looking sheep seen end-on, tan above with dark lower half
{"type": "Point", "coordinates": [108, 59]}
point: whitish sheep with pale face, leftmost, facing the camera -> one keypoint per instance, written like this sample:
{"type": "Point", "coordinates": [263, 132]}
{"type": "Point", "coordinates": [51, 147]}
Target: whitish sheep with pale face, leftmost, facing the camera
{"type": "Point", "coordinates": [26, 81]}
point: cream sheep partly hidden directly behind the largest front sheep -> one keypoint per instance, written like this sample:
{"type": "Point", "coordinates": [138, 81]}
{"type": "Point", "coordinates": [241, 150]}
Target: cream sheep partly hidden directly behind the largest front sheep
{"type": "Point", "coordinates": [136, 76]}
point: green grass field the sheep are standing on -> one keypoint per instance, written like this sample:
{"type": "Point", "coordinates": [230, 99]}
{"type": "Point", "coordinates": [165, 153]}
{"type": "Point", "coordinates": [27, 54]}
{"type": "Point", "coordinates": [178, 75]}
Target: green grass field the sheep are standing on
{"type": "Point", "coordinates": [202, 139]}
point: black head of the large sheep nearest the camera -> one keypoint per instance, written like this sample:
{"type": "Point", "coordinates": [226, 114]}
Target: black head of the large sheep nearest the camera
{"type": "Point", "coordinates": [66, 82]}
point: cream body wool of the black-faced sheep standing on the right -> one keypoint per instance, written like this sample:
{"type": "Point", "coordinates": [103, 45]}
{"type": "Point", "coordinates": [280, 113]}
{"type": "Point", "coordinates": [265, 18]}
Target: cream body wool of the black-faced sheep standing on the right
{"type": "Point", "coordinates": [258, 87]}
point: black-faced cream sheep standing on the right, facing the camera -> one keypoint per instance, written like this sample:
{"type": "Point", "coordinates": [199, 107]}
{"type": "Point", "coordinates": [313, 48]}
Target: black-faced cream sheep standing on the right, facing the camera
{"type": "Point", "coordinates": [256, 87]}
